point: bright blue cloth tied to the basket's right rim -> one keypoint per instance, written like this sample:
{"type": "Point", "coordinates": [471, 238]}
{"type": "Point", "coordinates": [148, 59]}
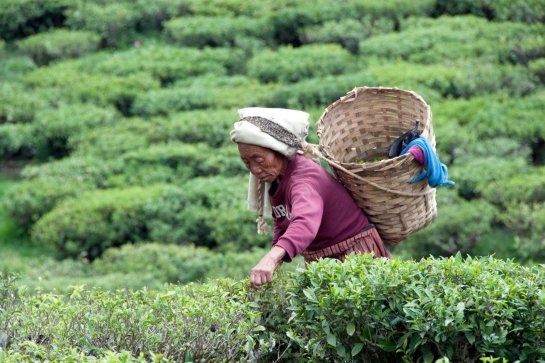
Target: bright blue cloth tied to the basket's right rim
{"type": "Point", "coordinates": [436, 172]}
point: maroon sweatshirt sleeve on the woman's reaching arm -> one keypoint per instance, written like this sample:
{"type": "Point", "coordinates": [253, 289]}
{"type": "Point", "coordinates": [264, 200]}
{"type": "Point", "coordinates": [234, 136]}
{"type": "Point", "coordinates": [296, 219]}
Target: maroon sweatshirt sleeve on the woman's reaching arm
{"type": "Point", "coordinates": [306, 216]}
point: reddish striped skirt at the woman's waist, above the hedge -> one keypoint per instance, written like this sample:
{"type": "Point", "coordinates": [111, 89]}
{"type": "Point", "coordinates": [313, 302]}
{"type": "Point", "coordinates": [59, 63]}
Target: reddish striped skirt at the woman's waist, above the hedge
{"type": "Point", "coordinates": [367, 241]}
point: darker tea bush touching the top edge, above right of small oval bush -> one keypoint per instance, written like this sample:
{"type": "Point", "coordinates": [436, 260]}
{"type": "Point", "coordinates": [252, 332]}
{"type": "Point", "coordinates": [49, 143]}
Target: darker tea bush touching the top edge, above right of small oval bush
{"type": "Point", "coordinates": [113, 21]}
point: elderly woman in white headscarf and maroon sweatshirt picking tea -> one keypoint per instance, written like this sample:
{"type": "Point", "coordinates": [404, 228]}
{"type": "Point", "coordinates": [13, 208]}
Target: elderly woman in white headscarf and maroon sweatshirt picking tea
{"type": "Point", "coordinates": [313, 214]}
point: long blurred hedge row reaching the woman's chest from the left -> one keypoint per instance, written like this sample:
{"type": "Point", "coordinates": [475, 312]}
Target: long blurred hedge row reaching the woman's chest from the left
{"type": "Point", "coordinates": [200, 211]}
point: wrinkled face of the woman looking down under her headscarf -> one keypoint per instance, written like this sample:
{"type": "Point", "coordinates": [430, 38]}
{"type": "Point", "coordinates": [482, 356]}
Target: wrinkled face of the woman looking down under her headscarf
{"type": "Point", "coordinates": [266, 164]}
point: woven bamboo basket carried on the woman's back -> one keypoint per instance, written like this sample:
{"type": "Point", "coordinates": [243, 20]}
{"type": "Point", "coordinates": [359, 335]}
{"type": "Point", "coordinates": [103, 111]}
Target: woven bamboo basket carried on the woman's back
{"type": "Point", "coordinates": [355, 131]}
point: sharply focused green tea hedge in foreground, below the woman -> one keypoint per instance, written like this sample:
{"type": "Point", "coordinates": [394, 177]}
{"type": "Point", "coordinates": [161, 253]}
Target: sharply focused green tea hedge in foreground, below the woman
{"type": "Point", "coordinates": [361, 310]}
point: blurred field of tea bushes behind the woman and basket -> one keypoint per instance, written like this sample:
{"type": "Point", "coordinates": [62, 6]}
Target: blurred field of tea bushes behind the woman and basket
{"type": "Point", "coordinates": [116, 166]}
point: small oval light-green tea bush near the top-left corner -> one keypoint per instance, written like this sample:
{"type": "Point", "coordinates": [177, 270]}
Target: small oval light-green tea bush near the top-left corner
{"type": "Point", "coordinates": [59, 44]}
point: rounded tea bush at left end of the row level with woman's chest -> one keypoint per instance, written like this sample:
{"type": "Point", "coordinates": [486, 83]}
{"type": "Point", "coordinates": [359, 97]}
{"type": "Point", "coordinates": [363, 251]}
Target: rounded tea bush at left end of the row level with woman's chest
{"type": "Point", "coordinates": [86, 225]}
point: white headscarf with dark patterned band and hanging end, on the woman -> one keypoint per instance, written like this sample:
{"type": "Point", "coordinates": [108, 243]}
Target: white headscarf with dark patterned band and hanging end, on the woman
{"type": "Point", "coordinates": [278, 129]}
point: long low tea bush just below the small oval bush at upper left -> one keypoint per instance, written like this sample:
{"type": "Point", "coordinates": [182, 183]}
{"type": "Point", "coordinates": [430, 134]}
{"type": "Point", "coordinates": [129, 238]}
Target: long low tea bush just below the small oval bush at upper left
{"type": "Point", "coordinates": [103, 90]}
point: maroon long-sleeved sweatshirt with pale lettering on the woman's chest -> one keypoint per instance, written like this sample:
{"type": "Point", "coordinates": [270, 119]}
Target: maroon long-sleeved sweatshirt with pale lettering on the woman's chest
{"type": "Point", "coordinates": [311, 209]}
